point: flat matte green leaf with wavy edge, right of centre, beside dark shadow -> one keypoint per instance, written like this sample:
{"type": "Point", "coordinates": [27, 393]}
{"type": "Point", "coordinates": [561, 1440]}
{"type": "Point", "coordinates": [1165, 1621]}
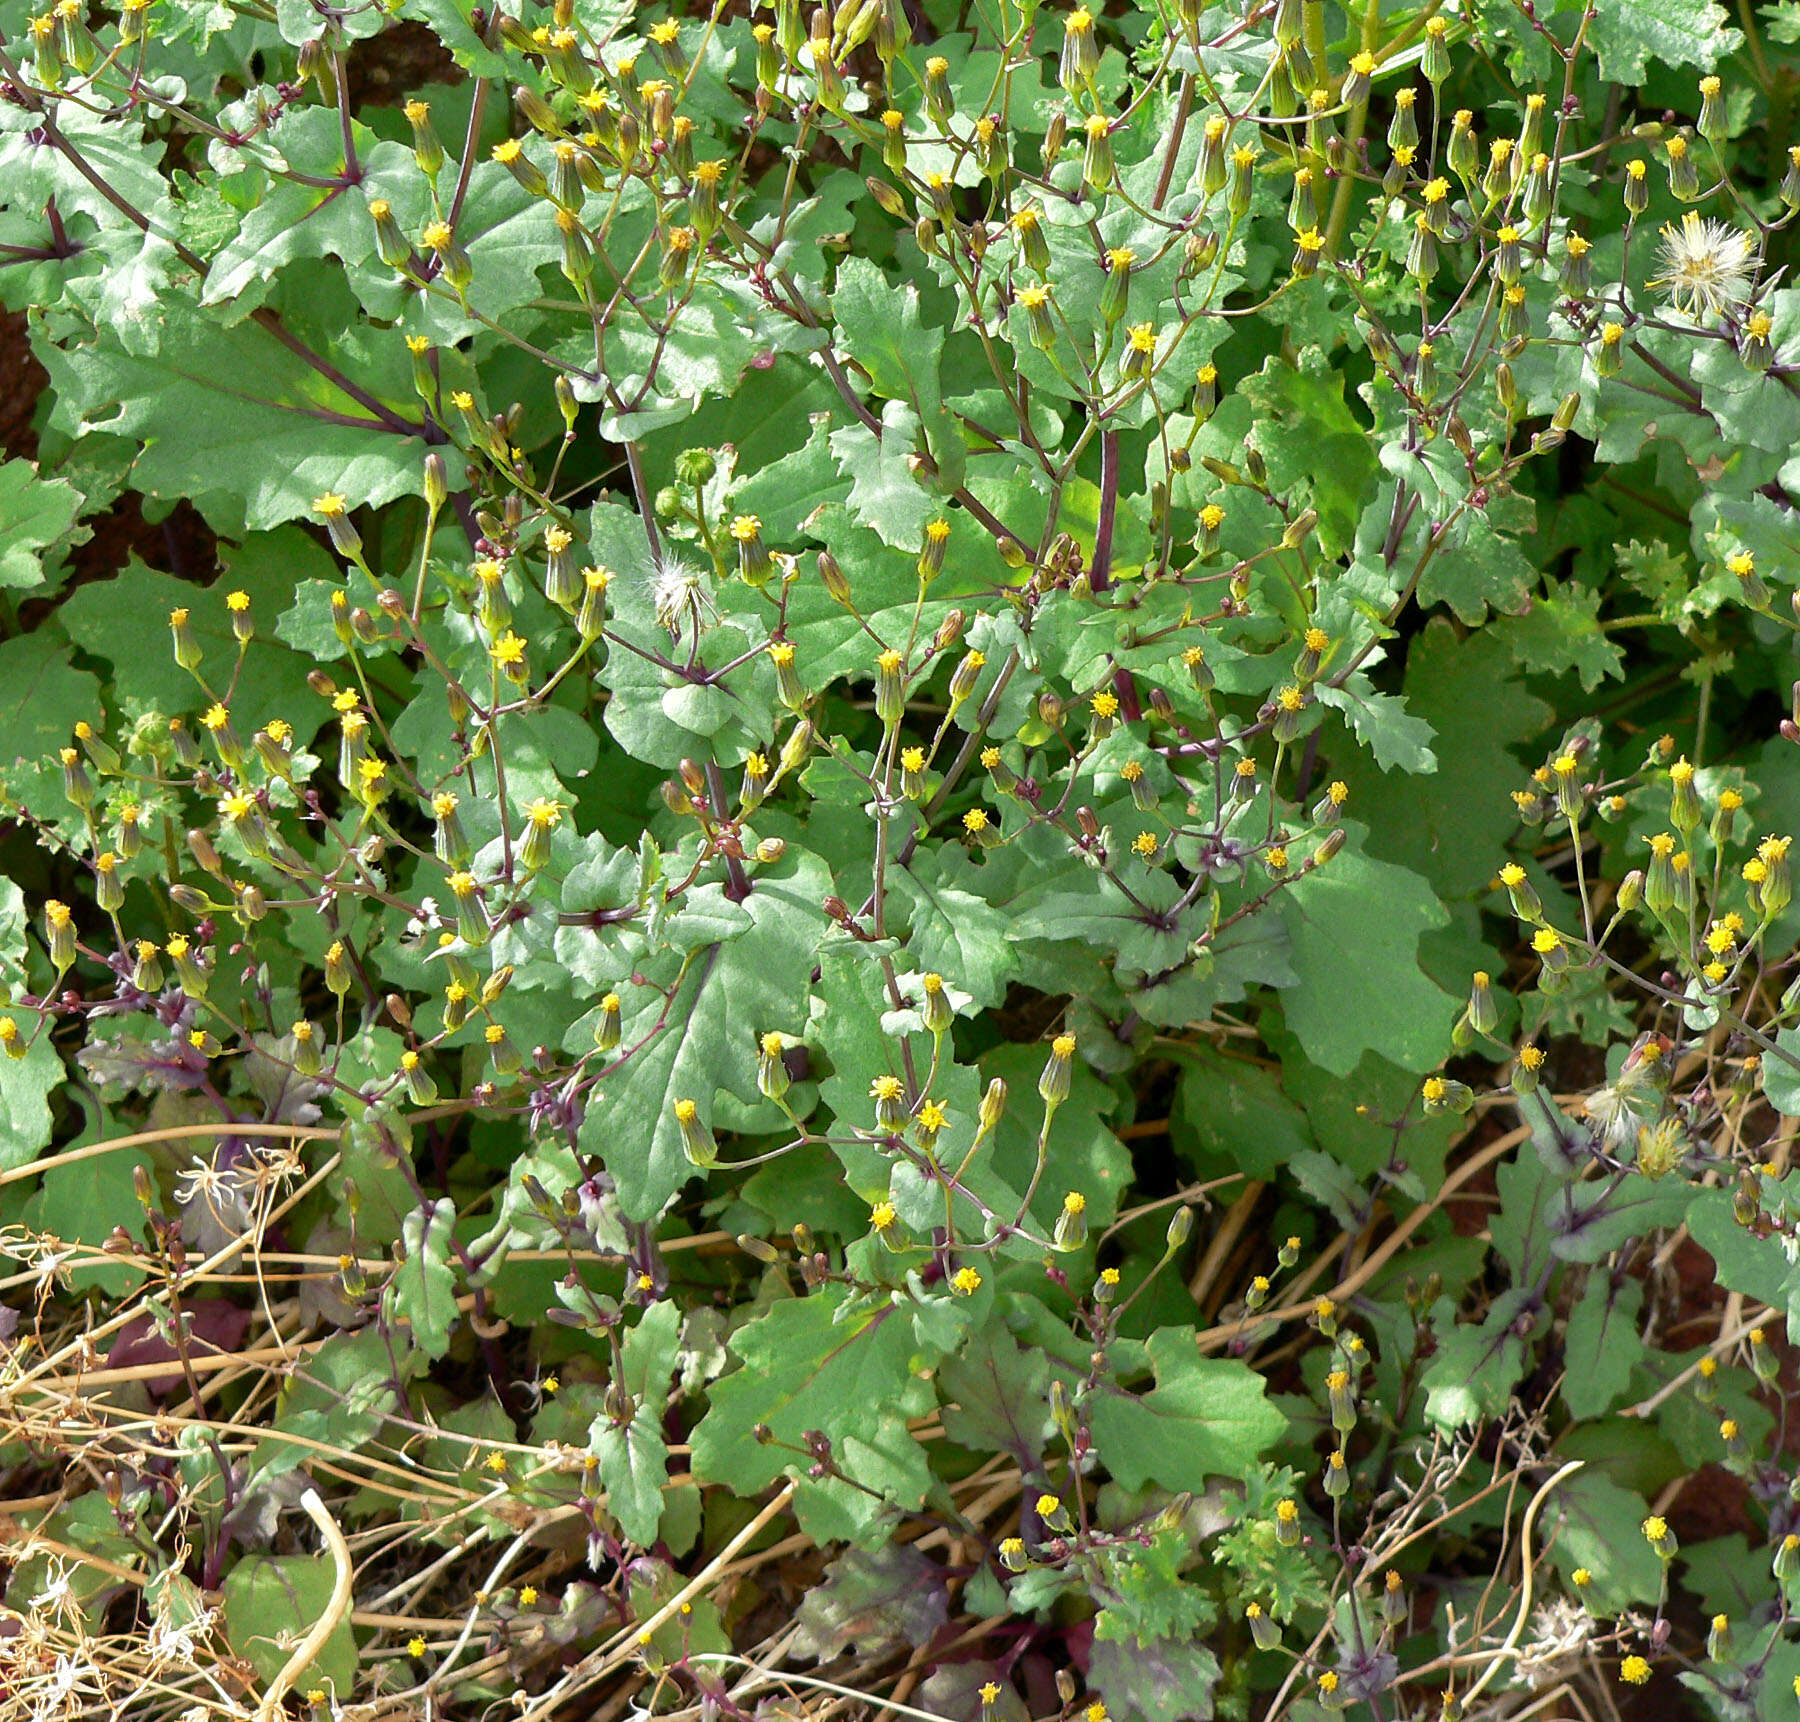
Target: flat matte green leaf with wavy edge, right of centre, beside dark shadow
{"type": "Point", "coordinates": [1354, 929]}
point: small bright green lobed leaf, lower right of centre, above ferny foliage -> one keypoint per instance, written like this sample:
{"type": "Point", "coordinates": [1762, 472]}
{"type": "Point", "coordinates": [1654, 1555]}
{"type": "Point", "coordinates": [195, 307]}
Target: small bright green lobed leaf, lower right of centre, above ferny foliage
{"type": "Point", "coordinates": [1205, 1419]}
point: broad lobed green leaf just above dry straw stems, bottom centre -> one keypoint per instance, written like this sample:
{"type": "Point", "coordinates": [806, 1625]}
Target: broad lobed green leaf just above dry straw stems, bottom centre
{"type": "Point", "coordinates": [811, 1363]}
